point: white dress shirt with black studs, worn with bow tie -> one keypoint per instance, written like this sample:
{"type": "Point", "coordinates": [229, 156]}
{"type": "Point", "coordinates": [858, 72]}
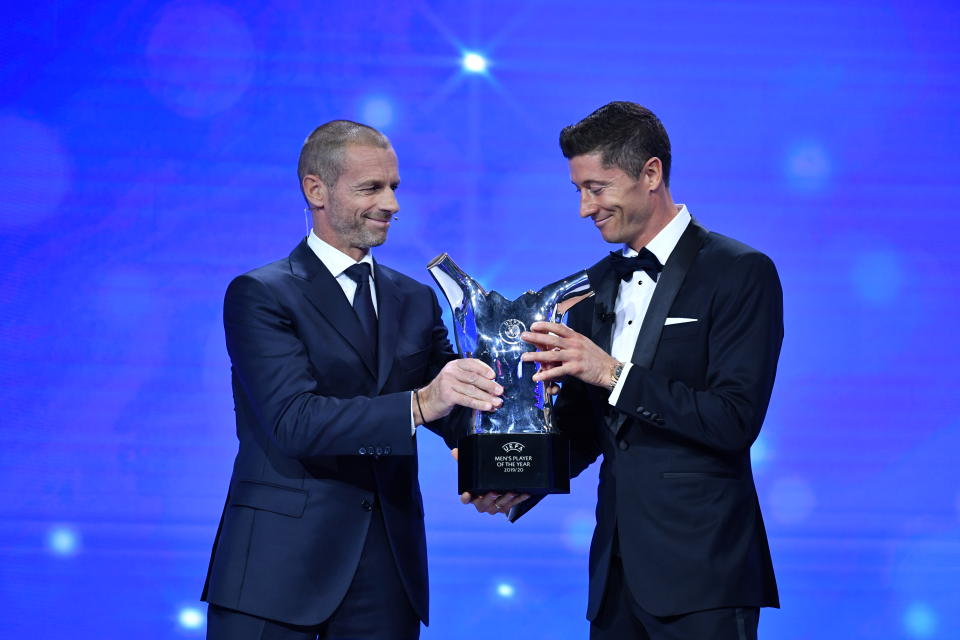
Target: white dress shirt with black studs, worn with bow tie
{"type": "Point", "coordinates": [634, 296]}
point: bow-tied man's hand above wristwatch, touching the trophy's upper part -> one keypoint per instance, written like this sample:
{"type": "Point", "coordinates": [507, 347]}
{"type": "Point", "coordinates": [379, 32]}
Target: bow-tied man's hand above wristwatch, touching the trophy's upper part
{"type": "Point", "coordinates": [562, 351]}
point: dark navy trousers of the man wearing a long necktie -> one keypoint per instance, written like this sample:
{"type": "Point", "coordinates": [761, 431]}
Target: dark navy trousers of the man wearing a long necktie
{"type": "Point", "coordinates": [376, 606]}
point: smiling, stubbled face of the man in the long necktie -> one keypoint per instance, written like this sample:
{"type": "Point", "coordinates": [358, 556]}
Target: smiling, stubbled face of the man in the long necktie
{"type": "Point", "coordinates": [355, 213]}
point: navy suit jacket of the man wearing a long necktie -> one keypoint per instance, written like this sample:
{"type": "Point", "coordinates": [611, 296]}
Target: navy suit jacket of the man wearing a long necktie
{"type": "Point", "coordinates": [324, 438]}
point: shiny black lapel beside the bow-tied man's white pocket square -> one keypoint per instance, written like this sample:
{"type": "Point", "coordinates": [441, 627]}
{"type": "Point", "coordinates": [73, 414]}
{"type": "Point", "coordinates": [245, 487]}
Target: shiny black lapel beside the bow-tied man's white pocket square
{"type": "Point", "coordinates": [671, 279]}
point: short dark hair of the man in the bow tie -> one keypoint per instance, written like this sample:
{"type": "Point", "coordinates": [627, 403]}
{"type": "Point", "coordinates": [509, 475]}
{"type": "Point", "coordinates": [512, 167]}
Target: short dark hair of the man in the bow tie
{"type": "Point", "coordinates": [624, 133]}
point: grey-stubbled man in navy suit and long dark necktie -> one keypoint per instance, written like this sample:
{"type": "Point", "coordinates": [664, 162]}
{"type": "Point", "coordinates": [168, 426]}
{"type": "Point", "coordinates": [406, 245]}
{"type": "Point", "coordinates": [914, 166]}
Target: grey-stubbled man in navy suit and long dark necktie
{"type": "Point", "coordinates": [336, 361]}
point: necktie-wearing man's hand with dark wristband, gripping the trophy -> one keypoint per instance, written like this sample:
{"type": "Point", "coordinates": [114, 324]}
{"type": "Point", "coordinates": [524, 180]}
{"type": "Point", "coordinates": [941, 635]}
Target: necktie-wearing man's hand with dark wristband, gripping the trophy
{"type": "Point", "coordinates": [466, 382]}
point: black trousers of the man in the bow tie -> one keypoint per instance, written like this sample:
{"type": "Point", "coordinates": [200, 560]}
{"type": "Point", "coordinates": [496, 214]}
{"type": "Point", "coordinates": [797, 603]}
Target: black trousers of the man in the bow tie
{"type": "Point", "coordinates": [621, 618]}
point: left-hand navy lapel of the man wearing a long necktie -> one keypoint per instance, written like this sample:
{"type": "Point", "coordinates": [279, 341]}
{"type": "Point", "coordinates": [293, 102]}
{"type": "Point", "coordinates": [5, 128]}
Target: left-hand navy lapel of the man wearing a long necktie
{"type": "Point", "coordinates": [323, 292]}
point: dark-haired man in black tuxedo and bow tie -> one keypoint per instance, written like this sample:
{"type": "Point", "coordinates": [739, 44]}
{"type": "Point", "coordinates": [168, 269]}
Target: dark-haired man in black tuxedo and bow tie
{"type": "Point", "coordinates": [667, 372]}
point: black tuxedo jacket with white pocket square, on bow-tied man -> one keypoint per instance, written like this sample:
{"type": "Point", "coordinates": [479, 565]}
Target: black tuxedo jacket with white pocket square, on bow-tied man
{"type": "Point", "coordinates": [676, 488]}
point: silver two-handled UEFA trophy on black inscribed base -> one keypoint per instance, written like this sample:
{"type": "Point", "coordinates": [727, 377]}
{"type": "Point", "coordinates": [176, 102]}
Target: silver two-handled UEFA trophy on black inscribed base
{"type": "Point", "coordinates": [515, 447]}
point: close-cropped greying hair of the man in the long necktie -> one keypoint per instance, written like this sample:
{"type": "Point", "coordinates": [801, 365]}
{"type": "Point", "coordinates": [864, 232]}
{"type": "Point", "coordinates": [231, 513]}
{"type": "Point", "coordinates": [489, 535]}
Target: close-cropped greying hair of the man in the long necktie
{"type": "Point", "coordinates": [322, 152]}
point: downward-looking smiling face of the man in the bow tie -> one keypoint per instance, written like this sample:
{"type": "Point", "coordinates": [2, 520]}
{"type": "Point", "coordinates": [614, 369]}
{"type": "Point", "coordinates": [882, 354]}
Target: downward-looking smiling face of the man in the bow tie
{"type": "Point", "coordinates": [623, 208]}
